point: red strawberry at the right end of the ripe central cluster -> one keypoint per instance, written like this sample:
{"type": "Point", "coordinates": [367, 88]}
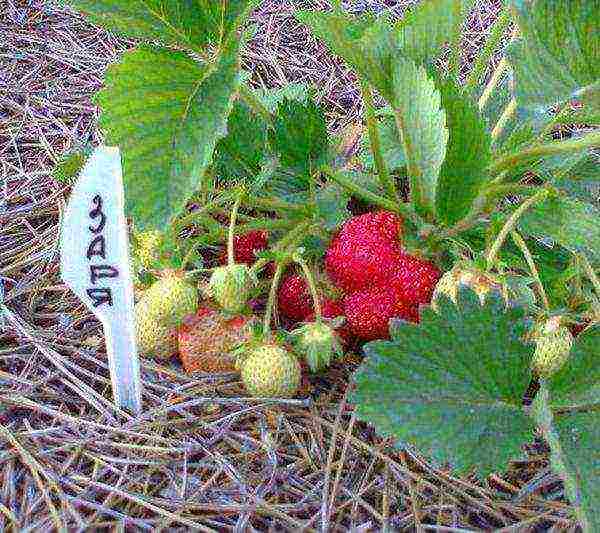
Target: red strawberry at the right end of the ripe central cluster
{"type": "Point", "coordinates": [415, 279]}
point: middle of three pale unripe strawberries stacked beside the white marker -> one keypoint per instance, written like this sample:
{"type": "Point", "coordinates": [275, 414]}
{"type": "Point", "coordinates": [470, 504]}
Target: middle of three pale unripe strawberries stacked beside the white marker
{"type": "Point", "coordinates": [169, 299]}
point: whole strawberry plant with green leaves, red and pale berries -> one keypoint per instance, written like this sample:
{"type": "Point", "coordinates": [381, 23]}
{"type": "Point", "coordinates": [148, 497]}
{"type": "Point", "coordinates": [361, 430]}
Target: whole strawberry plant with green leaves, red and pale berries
{"type": "Point", "coordinates": [462, 242]}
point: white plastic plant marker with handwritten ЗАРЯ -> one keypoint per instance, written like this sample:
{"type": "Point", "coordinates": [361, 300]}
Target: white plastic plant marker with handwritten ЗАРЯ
{"type": "Point", "coordinates": [95, 265]}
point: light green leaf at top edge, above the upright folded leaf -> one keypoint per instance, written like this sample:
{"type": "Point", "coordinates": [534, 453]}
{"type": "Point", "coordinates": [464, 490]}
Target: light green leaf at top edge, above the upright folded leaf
{"type": "Point", "coordinates": [427, 27]}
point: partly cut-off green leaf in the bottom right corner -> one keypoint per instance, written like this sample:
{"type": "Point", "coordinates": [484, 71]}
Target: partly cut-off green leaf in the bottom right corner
{"type": "Point", "coordinates": [574, 442]}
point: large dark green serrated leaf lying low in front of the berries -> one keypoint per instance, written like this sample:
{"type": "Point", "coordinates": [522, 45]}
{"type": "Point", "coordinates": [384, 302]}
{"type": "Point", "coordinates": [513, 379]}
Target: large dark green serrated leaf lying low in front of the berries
{"type": "Point", "coordinates": [451, 385]}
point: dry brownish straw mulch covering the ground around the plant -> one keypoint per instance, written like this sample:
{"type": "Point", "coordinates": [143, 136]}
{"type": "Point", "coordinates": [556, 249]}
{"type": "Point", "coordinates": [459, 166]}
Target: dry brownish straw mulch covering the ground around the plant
{"type": "Point", "coordinates": [201, 456]}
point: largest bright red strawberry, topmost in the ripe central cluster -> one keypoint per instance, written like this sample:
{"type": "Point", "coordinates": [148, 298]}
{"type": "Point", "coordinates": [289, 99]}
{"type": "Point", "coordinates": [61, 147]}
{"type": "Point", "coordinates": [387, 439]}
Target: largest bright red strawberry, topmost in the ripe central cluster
{"type": "Point", "coordinates": [365, 251]}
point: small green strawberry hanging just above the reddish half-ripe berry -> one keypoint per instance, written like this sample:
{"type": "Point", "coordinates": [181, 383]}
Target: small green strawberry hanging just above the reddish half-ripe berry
{"type": "Point", "coordinates": [230, 287]}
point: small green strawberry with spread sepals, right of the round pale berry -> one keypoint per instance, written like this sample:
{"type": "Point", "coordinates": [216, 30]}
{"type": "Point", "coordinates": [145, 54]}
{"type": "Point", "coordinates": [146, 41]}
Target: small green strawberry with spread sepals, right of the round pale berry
{"type": "Point", "coordinates": [318, 343]}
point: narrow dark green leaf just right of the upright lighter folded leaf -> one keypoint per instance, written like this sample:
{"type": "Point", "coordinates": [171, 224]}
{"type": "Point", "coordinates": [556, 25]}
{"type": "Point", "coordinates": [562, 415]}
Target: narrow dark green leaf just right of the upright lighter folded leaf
{"type": "Point", "coordinates": [463, 173]}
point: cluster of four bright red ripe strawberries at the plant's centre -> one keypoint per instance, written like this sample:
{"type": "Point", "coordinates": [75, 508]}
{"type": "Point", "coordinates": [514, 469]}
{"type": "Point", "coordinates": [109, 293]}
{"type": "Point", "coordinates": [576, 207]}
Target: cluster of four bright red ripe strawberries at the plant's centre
{"type": "Point", "coordinates": [365, 260]}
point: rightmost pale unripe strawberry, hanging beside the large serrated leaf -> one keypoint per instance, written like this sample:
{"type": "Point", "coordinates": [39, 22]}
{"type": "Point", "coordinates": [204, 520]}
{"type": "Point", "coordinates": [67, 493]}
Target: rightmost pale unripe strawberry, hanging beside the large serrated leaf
{"type": "Point", "coordinates": [553, 346]}
